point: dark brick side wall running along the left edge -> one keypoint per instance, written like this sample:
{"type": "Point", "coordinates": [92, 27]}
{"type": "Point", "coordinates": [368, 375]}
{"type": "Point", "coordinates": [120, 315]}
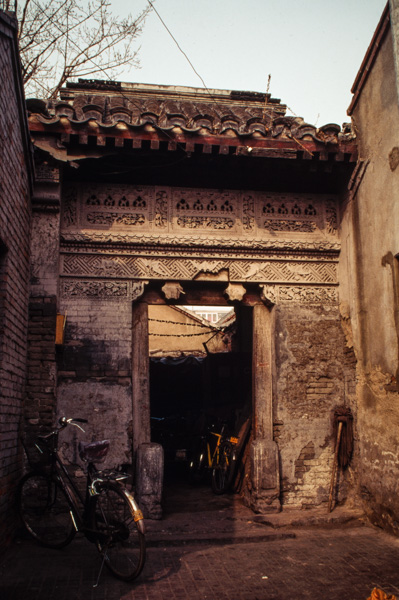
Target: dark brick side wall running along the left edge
{"type": "Point", "coordinates": [15, 221]}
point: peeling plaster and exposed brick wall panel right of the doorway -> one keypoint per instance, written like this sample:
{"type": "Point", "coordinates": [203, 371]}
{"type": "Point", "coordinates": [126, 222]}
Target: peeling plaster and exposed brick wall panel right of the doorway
{"type": "Point", "coordinates": [315, 375]}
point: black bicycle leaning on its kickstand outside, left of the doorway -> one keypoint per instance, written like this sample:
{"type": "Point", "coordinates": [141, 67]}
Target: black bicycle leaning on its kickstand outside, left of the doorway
{"type": "Point", "coordinates": [53, 509]}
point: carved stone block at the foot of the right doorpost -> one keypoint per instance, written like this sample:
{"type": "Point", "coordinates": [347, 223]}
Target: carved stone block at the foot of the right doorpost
{"type": "Point", "coordinates": [264, 492]}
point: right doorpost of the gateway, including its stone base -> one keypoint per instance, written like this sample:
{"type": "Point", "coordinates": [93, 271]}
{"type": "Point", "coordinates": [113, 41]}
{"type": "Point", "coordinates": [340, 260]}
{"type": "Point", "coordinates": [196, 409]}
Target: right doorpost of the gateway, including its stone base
{"type": "Point", "coordinates": [265, 488]}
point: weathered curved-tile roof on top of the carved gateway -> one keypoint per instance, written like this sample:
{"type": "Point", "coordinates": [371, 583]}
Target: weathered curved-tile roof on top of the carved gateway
{"type": "Point", "coordinates": [193, 111]}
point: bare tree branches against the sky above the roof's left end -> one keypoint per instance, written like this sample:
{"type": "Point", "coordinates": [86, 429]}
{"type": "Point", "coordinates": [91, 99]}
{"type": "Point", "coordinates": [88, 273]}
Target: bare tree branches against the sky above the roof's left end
{"type": "Point", "coordinates": [64, 39]}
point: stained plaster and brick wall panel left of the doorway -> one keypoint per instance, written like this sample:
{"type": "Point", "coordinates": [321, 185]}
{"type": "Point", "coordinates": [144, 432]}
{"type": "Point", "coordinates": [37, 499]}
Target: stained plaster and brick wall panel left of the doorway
{"type": "Point", "coordinates": [94, 375]}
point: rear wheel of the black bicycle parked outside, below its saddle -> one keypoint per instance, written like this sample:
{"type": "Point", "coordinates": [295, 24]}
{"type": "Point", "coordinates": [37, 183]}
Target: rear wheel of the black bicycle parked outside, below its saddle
{"type": "Point", "coordinates": [118, 536]}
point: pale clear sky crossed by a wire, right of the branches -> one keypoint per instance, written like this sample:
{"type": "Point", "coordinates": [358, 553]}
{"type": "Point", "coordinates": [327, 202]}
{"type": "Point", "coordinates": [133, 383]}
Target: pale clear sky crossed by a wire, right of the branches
{"type": "Point", "coordinates": [312, 49]}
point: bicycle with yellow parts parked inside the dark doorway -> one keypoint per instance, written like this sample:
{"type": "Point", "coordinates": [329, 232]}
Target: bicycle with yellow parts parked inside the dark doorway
{"type": "Point", "coordinates": [221, 461]}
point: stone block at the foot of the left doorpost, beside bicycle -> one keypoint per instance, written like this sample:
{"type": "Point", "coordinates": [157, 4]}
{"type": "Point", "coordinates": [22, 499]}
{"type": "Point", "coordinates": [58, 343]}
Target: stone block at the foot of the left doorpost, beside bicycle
{"type": "Point", "coordinates": [149, 479]}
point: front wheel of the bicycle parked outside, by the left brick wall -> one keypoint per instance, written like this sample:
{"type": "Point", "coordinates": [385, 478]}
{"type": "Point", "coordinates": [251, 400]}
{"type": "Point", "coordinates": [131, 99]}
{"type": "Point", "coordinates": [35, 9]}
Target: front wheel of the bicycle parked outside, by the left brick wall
{"type": "Point", "coordinates": [44, 510]}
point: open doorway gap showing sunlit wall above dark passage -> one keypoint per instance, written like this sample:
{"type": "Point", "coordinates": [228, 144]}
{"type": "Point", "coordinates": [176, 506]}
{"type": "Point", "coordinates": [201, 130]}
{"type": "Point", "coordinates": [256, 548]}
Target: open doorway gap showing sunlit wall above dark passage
{"type": "Point", "coordinates": [200, 379]}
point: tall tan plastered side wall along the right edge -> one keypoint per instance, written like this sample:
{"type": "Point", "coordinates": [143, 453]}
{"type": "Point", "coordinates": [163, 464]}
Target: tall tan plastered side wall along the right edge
{"type": "Point", "coordinates": [369, 287]}
